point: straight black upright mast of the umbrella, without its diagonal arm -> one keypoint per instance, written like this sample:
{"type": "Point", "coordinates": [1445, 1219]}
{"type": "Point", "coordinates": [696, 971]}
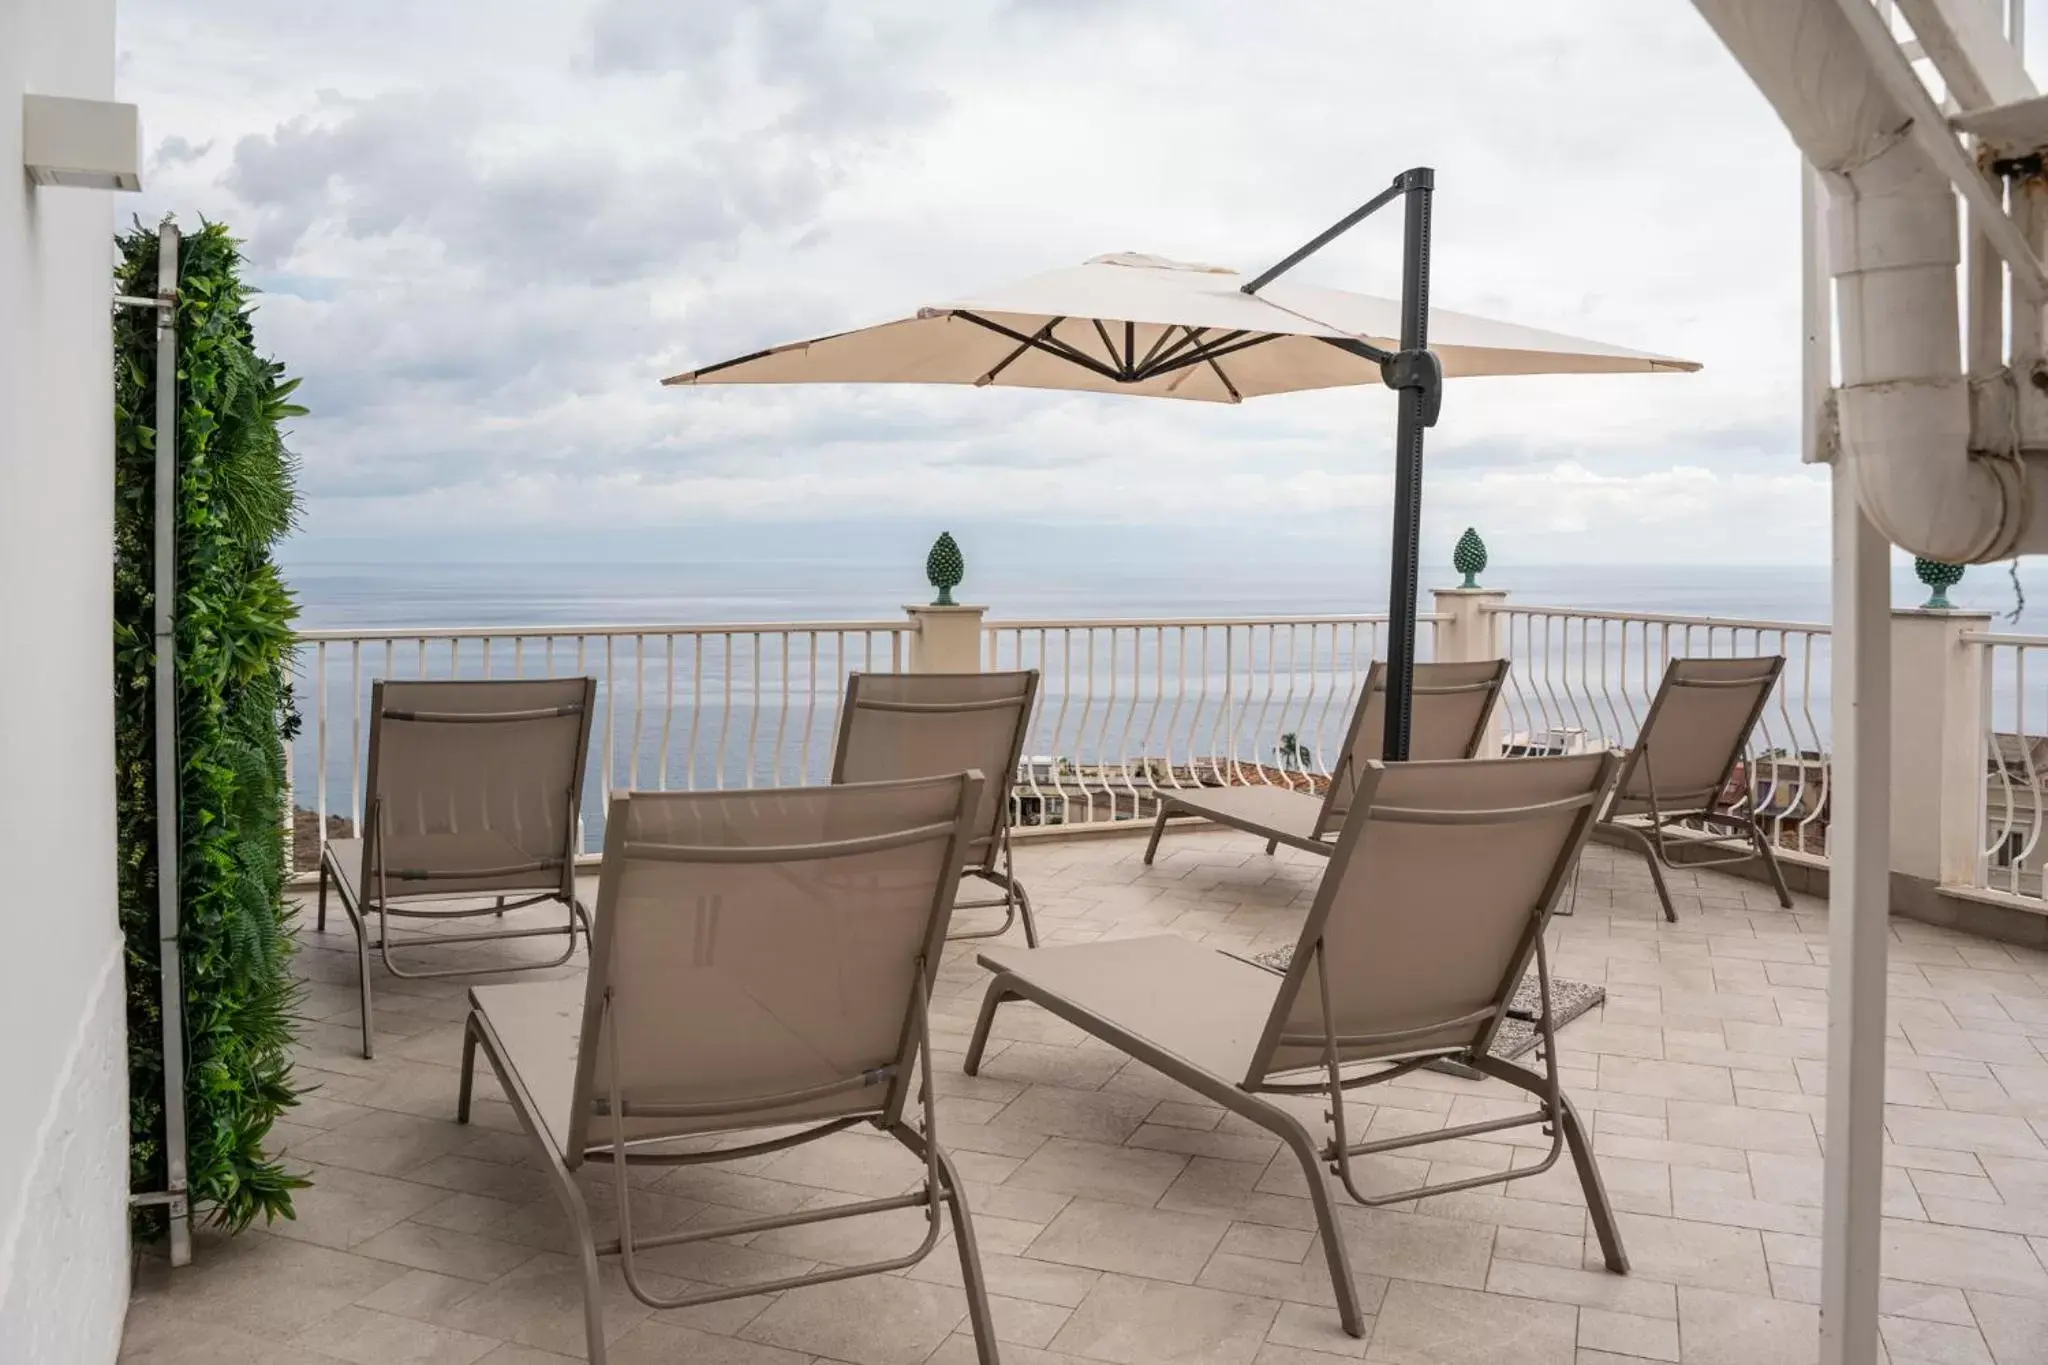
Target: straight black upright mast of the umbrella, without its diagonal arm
{"type": "Point", "coordinates": [1410, 425]}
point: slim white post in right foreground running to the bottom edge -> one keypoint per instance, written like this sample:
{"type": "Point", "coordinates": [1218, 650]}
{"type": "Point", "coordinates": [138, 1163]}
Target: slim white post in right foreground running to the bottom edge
{"type": "Point", "coordinates": [1859, 912]}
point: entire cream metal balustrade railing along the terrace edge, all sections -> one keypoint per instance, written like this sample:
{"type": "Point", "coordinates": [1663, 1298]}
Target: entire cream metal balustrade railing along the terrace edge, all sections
{"type": "Point", "coordinates": [1127, 709]}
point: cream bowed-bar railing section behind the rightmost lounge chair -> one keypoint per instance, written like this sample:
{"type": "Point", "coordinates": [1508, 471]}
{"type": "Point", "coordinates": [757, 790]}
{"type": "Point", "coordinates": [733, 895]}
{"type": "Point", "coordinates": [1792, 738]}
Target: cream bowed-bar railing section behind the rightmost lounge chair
{"type": "Point", "coordinates": [1588, 678]}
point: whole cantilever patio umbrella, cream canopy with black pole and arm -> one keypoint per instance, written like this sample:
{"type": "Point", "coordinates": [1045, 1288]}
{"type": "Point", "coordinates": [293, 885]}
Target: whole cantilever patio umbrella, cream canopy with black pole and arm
{"type": "Point", "coordinates": [1158, 328]}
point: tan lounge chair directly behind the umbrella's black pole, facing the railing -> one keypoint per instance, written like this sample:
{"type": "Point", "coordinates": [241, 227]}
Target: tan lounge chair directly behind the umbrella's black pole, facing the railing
{"type": "Point", "coordinates": [1449, 721]}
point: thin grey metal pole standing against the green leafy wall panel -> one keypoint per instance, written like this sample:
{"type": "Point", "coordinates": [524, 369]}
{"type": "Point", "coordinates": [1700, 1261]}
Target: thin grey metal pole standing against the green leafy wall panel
{"type": "Point", "coordinates": [167, 740]}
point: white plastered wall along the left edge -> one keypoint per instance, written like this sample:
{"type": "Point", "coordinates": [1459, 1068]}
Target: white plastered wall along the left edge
{"type": "Point", "coordinates": [62, 1055]}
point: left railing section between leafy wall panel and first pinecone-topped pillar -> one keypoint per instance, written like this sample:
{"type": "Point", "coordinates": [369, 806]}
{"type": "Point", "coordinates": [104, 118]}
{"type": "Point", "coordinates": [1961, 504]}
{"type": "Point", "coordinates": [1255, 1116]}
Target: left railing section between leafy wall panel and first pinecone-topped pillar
{"type": "Point", "coordinates": [679, 707]}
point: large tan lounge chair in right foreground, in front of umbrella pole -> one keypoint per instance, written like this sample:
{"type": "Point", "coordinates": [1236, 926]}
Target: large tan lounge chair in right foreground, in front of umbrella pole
{"type": "Point", "coordinates": [1435, 904]}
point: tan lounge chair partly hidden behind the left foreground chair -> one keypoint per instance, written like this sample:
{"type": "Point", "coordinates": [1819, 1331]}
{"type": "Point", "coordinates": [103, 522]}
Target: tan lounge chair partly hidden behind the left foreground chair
{"type": "Point", "coordinates": [921, 725]}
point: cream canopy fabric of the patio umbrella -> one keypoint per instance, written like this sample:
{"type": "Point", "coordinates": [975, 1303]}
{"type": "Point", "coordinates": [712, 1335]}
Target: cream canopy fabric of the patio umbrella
{"type": "Point", "coordinates": [1158, 328]}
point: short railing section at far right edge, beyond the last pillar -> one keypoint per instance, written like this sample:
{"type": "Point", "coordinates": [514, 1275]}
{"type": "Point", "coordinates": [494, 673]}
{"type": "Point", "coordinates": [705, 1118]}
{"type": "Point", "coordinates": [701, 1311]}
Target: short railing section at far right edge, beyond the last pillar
{"type": "Point", "coordinates": [2014, 707]}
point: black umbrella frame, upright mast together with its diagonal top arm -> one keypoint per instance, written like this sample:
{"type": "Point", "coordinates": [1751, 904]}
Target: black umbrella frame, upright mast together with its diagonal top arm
{"type": "Point", "coordinates": [1418, 376]}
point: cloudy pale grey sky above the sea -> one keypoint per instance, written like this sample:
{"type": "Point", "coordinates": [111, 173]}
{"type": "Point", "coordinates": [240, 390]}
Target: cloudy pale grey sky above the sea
{"type": "Point", "coordinates": [488, 230]}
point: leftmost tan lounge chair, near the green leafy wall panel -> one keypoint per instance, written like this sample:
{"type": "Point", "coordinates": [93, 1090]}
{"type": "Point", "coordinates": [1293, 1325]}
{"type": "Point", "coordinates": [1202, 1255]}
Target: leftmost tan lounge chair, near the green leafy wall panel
{"type": "Point", "coordinates": [470, 809]}
